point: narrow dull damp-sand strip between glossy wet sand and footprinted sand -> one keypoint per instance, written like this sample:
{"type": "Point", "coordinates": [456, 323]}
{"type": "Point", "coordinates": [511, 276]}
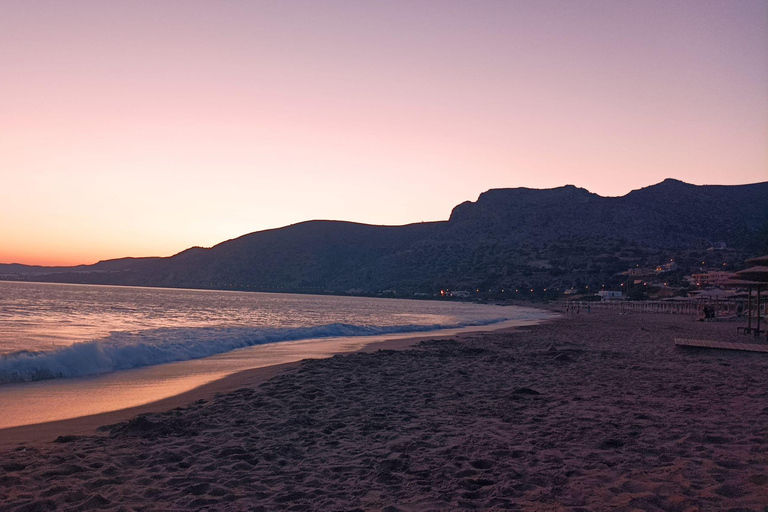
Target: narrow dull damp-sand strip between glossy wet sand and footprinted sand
{"type": "Point", "coordinates": [43, 433]}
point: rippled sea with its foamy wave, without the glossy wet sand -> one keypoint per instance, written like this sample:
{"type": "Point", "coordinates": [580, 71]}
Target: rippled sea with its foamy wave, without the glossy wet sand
{"type": "Point", "coordinates": [51, 331]}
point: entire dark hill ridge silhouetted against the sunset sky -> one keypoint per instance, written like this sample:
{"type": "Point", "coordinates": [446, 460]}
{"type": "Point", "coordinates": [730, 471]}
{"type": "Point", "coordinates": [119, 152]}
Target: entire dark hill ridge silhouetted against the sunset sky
{"type": "Point", "coordinates": [508, 238]}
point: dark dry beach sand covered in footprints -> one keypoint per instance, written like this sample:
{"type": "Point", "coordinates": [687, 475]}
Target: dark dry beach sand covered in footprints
{"type": "Point", "coordinates": [591, 412]}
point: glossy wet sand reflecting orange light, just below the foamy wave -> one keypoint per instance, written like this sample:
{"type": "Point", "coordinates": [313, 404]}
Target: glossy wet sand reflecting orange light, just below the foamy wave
{"type": "Point", "coordinates": [64, 399]}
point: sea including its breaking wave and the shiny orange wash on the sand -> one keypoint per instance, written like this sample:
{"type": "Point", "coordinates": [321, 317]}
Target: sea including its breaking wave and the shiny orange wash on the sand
{"type": "Point", "coordinates": [105, 348]}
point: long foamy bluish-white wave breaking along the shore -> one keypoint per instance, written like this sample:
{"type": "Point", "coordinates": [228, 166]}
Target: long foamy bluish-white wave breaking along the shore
{"type": "Point", "coordinates": [125, 350]}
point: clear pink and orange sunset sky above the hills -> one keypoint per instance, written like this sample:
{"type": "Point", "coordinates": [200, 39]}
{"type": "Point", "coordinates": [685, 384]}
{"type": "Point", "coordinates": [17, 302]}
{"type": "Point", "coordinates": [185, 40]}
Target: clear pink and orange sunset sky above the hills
{"type": "Point", "coordinates": [141, 128]}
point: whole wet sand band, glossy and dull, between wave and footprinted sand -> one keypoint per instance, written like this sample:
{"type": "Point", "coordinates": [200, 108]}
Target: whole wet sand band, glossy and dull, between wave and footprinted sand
{"type": "Point", "coordinates": [214, 381]}
